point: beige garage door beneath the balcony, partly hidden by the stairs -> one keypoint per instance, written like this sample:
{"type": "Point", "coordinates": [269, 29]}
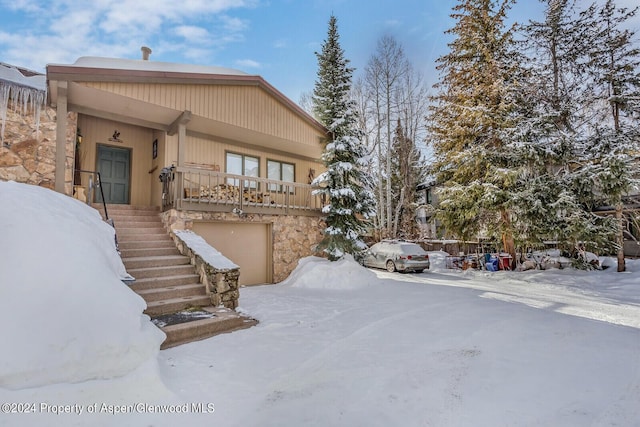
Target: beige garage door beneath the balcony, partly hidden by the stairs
{"type": "Point", "coordinates": [246, 244]}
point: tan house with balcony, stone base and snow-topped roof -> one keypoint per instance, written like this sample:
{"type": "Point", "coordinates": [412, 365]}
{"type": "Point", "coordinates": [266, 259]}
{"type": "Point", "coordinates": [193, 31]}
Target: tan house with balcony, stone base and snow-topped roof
{"type": "Point", "coordinates": [221, 152]}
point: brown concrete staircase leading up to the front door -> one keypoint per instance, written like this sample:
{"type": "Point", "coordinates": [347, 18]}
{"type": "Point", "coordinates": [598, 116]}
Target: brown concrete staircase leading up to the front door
{"type": "Point", "coordinates": [165, 279]}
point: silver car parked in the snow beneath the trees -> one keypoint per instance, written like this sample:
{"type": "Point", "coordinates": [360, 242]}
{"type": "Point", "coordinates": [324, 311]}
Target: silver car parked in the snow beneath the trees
{"type": "Point", "coordinates": [396, 255]}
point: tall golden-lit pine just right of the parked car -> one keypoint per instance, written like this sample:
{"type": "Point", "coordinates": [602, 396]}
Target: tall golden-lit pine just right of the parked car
{"type": "Point", "coordinates": [473, 112]}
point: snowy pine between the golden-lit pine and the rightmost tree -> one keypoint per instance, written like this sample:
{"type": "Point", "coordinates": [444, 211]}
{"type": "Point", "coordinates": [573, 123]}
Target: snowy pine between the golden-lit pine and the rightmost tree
{"type": "Point", "coordinates": [549, 206]}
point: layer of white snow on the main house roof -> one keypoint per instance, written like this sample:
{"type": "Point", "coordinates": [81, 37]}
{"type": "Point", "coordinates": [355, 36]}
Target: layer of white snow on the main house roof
{"type": "Point", "coordinates": [143, 65]}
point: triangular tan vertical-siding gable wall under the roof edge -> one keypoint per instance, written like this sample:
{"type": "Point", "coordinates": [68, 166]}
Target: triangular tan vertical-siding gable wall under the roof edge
{"type": "Point", "coordinates": [244, 106]}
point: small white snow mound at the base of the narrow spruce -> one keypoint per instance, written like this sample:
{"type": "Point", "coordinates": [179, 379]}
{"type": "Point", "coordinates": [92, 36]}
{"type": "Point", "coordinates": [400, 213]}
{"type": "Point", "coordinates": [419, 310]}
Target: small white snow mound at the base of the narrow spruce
{"type": "Point", "coordinates": [319, 273]}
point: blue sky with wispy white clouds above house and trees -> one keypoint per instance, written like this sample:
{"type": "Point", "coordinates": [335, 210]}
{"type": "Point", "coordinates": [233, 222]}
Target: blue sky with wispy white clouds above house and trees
{"type": "Point", "coordinates": [273, 38]}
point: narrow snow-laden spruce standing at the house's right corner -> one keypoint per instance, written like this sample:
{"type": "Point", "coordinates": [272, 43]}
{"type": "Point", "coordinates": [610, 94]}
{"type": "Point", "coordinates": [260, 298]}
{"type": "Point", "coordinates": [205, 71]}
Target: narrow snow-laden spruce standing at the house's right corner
{"type": "Point", "coordinates": [345, 184]}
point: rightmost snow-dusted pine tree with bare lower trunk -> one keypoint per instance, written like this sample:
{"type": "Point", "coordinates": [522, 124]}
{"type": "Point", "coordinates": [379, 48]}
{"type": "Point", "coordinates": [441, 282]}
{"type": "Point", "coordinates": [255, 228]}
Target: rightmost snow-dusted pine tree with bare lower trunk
{"type": "Point", "coordinates": [609, 160]}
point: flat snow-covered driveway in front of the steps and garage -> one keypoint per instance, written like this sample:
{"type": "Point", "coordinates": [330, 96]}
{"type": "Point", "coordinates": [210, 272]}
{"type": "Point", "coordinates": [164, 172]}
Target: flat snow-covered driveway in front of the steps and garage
{"type": "Point", "coordinates": [441, 348]}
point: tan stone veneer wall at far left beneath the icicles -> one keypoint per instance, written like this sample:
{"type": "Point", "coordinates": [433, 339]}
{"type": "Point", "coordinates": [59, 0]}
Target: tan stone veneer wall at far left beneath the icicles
{"type": "Point", "coordinates": [28, 156]}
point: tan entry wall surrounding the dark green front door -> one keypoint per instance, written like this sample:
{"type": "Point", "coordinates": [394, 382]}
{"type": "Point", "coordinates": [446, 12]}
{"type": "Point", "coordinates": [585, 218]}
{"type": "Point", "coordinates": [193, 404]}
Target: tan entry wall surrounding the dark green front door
{"type": "Point", "coordinates": [138, 139]}
